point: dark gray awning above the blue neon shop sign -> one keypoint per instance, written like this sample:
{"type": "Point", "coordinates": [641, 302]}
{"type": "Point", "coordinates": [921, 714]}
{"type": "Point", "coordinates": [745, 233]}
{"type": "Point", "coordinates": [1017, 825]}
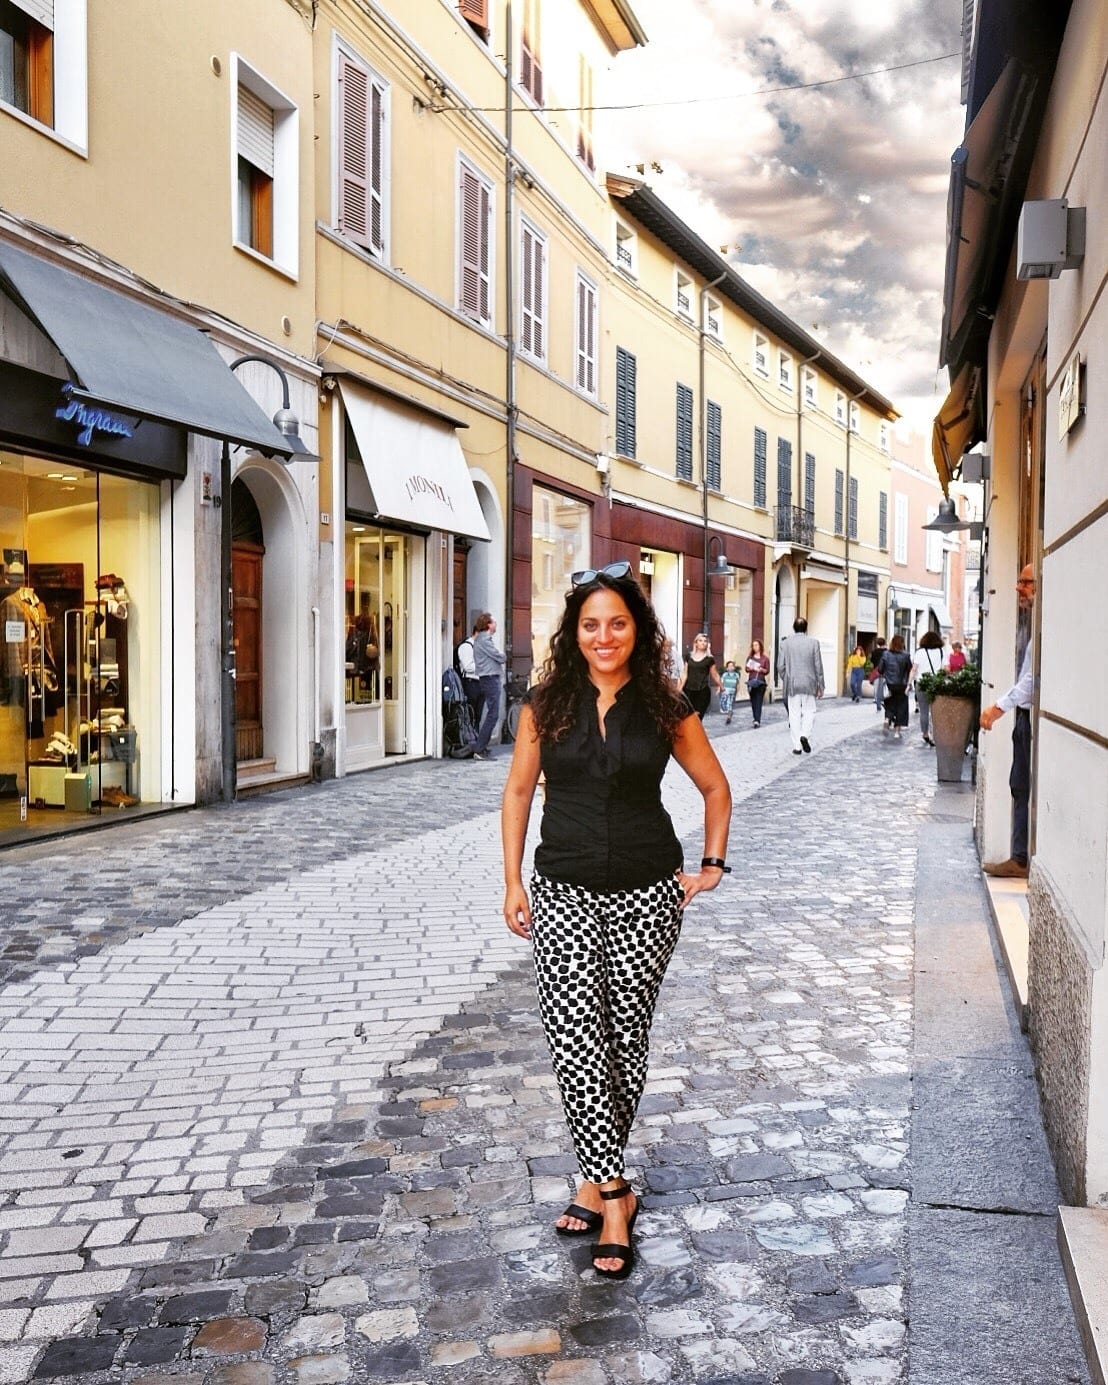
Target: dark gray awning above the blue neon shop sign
{"type": "Point", "coordinates": [135, 358]}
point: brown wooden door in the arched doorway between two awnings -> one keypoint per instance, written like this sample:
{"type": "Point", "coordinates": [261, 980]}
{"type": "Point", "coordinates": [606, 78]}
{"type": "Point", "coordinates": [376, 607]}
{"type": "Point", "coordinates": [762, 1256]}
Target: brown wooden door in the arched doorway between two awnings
{"type": "Point", "coordinates": [247, 559]}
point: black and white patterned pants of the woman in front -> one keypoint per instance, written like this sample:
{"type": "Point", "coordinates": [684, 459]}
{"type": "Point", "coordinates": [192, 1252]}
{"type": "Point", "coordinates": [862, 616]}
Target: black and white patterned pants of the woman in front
{"type": "Point", "coordinates": [599, 965]}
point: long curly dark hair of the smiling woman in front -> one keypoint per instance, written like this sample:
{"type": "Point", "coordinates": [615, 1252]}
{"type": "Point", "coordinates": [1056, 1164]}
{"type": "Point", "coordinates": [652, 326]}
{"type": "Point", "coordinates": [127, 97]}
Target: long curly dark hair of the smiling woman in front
{"type": "Point", "coordinates": [556, 700]}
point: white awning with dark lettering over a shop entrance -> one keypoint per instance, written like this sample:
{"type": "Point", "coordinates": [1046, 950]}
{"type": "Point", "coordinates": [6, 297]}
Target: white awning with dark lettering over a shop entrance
{"type": "Point", "coordinates": [415, 465]}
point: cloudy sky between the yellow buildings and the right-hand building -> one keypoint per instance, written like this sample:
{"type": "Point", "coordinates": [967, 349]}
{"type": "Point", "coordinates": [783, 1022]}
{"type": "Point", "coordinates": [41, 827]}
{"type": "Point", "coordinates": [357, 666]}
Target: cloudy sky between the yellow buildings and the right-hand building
{"type": "Point", "coordinates": [832, 200]}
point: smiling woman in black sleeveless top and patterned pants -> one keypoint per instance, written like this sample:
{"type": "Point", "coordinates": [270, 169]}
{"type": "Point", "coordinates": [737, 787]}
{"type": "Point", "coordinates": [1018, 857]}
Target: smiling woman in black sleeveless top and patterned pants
{"type": "Point", "coordinates": [609, 886]}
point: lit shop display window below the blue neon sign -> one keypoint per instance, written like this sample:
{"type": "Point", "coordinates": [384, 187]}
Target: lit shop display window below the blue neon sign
{"type": "Point", "coordinates": [81, 653]}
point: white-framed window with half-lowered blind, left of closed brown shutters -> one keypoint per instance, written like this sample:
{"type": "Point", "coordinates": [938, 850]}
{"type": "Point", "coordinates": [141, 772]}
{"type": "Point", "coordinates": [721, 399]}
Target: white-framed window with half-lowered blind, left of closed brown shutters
{"type": "Point", "coordinates": [267, 170]}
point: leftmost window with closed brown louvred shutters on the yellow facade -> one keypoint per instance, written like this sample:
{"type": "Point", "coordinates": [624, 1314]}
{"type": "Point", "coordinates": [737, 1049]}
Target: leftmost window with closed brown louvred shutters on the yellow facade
{"type": "Point", "coordinates": [362, 102]}
